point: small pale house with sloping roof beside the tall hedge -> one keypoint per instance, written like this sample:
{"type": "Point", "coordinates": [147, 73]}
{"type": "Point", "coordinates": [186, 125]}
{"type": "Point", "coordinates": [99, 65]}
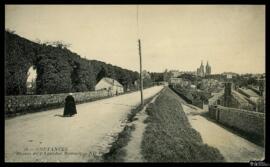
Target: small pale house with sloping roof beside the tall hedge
{"type": "Point", "coordinates": [111, 85]}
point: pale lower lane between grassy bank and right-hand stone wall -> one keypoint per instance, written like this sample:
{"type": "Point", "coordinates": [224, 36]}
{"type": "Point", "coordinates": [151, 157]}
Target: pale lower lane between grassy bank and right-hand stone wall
{"type": "Point", "coordinates": [231, 146]}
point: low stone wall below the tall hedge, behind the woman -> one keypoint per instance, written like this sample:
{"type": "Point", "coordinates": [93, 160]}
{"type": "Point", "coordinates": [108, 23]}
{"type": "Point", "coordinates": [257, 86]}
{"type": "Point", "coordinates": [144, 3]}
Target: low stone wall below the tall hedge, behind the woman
{"type": "Point", "coordinates": [15, 105]}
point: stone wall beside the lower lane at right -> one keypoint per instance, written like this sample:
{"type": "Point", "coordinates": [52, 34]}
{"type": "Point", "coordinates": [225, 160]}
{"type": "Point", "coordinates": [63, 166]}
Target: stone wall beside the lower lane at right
{"type": "Point", "coordinates": [247, 121]}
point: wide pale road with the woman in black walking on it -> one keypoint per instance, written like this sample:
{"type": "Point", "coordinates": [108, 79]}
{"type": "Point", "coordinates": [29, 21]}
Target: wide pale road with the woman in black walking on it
{"type": "Point", "coordinates": [49, 137]}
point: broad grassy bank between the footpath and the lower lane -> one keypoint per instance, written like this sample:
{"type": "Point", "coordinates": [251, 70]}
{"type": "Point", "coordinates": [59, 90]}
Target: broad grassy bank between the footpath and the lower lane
{"type": "Point", "coordinates": [170, 138]}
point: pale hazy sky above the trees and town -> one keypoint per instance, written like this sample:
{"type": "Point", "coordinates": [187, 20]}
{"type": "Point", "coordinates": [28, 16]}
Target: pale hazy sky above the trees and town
{"type": "Point", "coordinates": [174, 37]}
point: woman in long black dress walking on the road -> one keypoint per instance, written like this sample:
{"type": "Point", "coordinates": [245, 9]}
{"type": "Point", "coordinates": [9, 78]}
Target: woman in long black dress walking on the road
{"type": "Point", "coordinates": [70, 106]}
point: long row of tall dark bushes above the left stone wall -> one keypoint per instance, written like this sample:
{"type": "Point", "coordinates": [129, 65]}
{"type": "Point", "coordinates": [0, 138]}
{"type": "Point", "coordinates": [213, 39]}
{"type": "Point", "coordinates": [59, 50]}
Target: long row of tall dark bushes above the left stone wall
{"type": "Point", "coordinates": [58, 69]}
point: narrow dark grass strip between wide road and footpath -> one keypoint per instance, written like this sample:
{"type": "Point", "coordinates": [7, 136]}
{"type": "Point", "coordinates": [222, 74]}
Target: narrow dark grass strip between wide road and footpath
{"type": "Point", "coordinates": [117, 152]}
